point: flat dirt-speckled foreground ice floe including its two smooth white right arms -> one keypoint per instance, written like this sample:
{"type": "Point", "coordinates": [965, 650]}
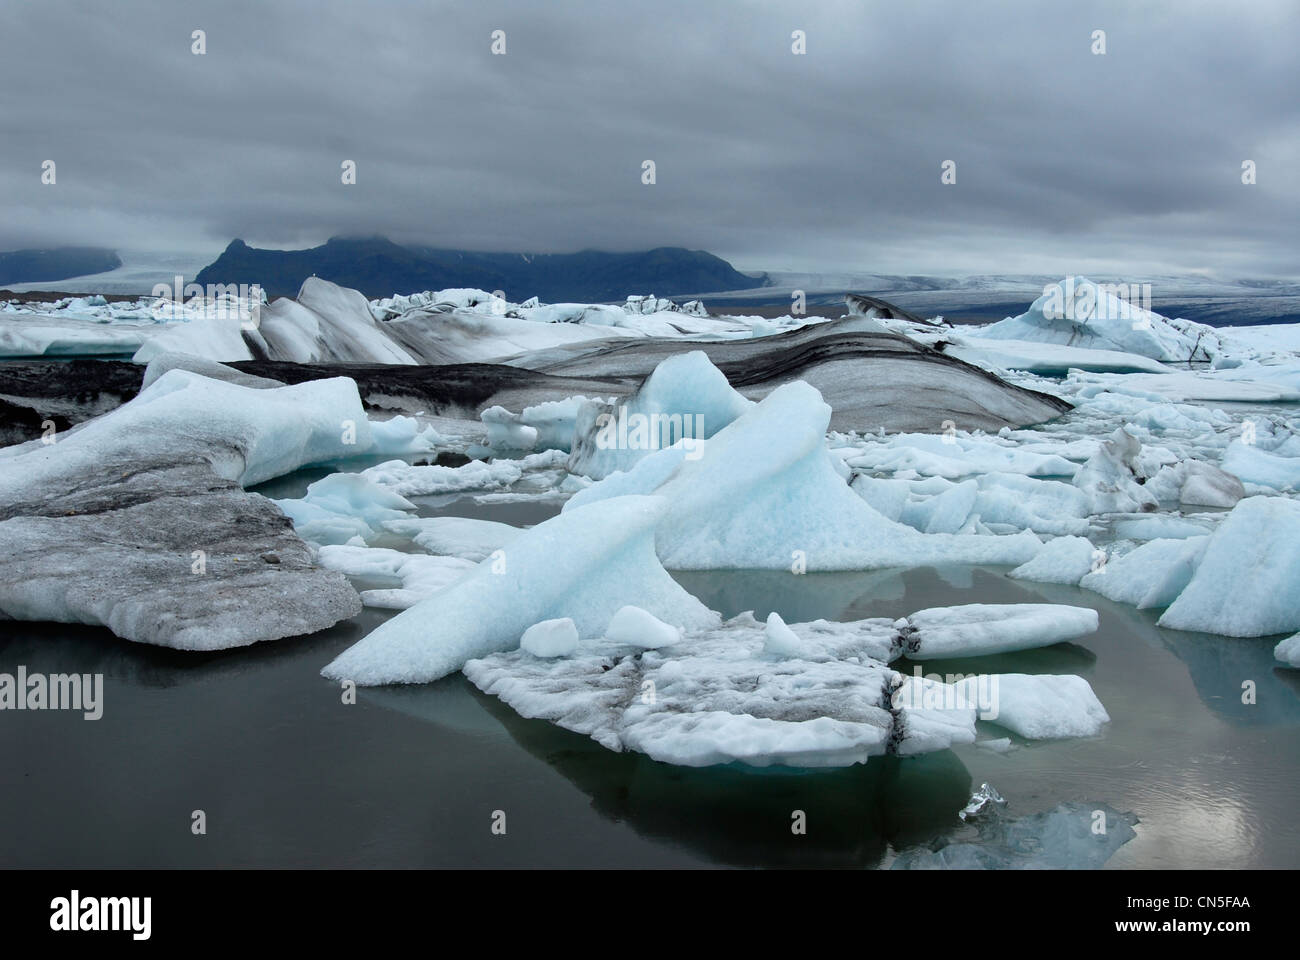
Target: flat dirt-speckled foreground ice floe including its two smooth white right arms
{"type": "Point", "coordinates": [800, 695]}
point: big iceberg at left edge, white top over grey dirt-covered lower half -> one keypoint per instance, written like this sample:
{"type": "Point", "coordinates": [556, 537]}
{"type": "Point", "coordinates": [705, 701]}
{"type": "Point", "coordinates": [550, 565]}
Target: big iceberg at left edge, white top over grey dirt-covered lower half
{"type": "Point", "coordinates": [137, 521]}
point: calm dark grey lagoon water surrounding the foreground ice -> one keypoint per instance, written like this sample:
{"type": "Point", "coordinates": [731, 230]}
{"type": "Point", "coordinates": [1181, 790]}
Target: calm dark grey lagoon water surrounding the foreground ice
{"type": "Point", "coordinates": [289, 776]}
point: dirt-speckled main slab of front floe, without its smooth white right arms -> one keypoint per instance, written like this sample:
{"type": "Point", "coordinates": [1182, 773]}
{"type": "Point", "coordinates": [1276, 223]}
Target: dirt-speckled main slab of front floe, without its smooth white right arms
{"type": "Point", "coordinates": [721, 698]}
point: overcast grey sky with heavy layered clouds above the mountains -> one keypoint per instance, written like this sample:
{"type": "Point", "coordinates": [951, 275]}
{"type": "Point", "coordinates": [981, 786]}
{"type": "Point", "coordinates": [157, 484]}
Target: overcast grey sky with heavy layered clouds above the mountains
{"type": "Point", "coordinates": [1126, 165]}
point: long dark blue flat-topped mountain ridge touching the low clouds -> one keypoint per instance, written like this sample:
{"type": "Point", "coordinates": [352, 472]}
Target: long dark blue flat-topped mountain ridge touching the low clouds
{"type": "Point", "coordinates": [379, 267]}
